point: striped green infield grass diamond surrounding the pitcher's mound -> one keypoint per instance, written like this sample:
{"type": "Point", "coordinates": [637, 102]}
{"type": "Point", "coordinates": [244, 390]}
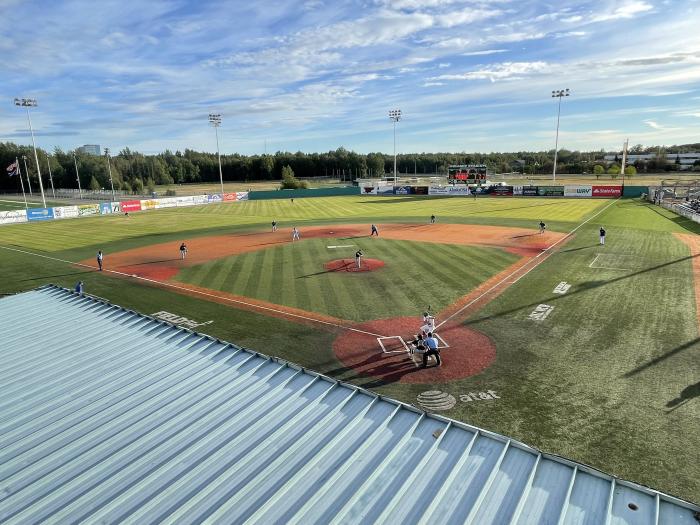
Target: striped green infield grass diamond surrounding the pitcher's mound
{"type": "Point", "coordinates": [416, 275]}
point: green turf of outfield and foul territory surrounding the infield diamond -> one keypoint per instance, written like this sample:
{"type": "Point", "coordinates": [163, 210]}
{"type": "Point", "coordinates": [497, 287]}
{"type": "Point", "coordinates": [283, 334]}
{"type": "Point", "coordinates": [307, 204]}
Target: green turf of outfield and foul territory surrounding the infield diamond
{"type": "Point", "coordinates": [609, 378]}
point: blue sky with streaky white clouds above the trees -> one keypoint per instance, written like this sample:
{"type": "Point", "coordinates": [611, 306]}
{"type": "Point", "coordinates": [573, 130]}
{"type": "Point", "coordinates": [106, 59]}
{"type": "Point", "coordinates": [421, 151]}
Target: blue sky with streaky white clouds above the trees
{"type": "Point", "coordinates": [314, 75]}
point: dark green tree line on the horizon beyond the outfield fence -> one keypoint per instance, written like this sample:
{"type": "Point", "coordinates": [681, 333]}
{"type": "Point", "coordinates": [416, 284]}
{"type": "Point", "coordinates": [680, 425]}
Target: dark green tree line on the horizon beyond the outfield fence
{"type": "Point", "coordinates": [132, 171]}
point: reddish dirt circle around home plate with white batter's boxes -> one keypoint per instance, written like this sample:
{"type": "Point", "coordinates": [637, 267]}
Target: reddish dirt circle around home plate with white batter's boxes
{"type": "Point", "coordinates": [469, 352]}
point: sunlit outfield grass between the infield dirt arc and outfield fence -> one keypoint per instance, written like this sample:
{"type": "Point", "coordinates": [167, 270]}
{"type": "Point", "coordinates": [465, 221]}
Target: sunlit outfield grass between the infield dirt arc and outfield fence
{"type": "Point", "coordinates": [170, 224]}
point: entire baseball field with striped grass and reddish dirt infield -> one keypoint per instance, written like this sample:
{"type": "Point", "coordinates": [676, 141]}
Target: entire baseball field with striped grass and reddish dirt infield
{"type": "Point", "coordinates": [583, 350]}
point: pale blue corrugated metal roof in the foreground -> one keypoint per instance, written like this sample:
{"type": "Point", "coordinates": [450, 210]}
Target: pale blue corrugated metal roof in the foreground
{"type": "Point", "coordinates": [109, 416]}
